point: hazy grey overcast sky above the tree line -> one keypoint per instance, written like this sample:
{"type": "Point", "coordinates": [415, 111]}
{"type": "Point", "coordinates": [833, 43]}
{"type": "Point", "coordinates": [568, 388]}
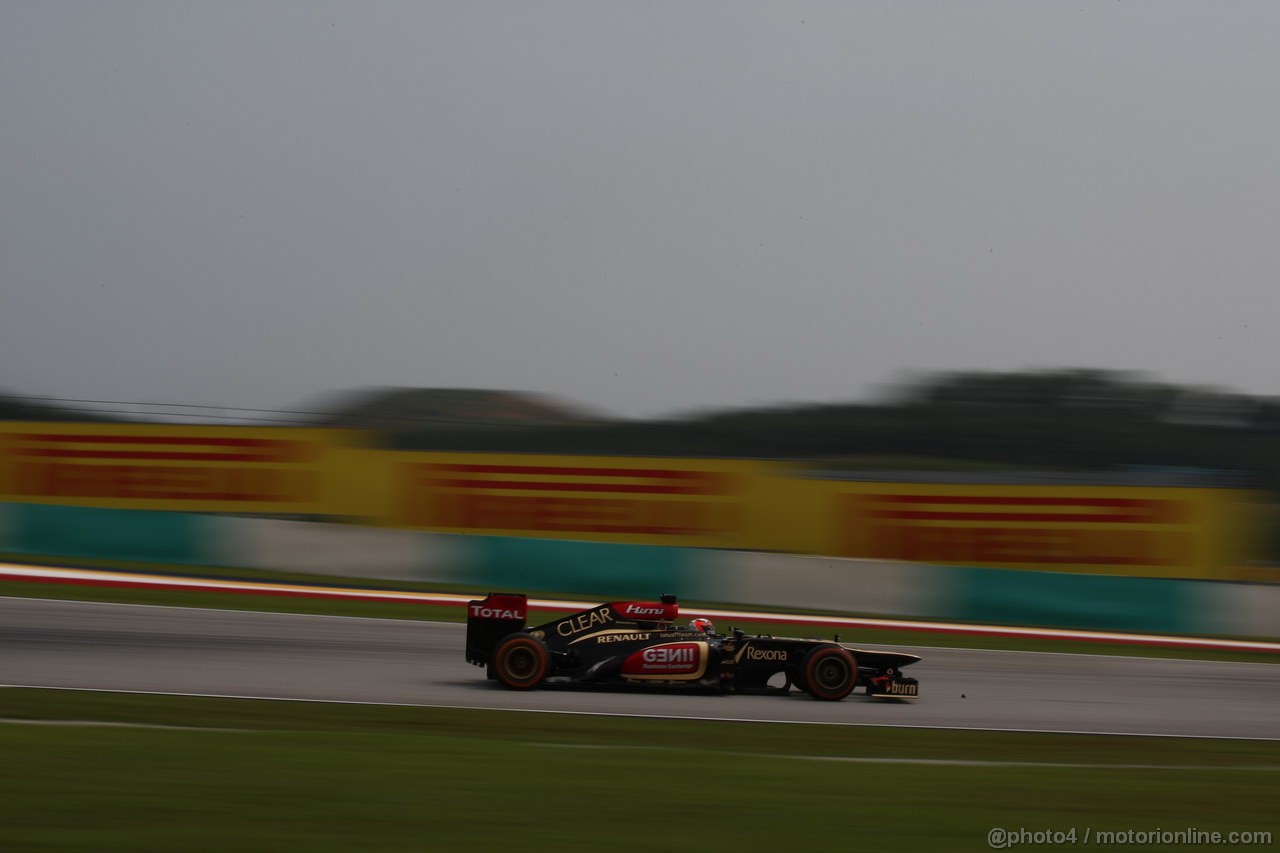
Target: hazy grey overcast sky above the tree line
{"type": "Point", "coordinates": [644, 207]}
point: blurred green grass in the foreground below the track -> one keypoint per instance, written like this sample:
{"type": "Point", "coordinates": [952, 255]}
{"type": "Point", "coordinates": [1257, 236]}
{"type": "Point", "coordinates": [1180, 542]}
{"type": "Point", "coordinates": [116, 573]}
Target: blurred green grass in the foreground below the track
{"type": "Point", "coordinates": [359, 778]}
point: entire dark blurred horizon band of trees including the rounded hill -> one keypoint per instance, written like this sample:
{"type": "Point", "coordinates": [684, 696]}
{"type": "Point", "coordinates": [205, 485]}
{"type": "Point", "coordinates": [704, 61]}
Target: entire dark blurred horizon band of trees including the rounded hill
{"type": "Point", "coordinates": [1018, 427]}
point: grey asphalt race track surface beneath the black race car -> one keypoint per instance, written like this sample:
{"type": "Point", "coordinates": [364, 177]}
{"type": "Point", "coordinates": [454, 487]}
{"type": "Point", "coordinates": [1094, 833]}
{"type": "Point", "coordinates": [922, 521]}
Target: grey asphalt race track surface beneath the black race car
{"type": "Point", "coordinates": [213, 653]}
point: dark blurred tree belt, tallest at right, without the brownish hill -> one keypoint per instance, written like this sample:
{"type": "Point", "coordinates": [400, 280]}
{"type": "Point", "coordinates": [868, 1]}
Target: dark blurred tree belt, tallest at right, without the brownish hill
{"type": "Point", "coordinates": [1058, 421]}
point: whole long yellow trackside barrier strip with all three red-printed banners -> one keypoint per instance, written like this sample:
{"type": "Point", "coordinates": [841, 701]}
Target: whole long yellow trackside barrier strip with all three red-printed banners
{"type": "Point", "coordinates": [685, 503]}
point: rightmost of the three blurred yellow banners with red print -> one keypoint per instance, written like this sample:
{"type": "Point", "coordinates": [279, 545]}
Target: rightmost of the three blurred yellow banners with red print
{"type": "Point", "coordinates": [1130, 531]}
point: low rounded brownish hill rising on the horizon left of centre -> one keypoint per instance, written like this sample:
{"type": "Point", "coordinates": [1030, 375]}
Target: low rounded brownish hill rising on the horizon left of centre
{"type": "Point", "coordinates": [399, 409]}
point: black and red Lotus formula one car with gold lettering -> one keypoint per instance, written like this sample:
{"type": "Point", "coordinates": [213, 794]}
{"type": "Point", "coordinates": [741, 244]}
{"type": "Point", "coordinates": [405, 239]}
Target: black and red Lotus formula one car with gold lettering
{"type": "Point", "coordinates": [638, 644]}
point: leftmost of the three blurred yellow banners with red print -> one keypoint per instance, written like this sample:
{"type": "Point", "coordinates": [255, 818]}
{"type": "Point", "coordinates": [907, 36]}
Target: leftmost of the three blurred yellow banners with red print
{"type": "Point", "coordinates": [152, 467]}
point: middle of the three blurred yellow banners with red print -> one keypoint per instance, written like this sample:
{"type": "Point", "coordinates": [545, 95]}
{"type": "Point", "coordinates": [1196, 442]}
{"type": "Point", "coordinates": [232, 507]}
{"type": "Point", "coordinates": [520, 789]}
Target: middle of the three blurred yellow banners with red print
{"type": "Point", "coordinates": [646, 501]}
